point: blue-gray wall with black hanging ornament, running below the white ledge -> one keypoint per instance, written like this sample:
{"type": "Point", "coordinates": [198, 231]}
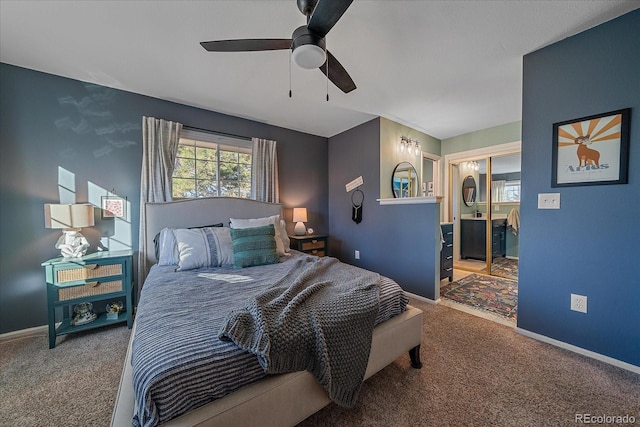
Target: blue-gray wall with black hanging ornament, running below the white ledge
{"type": "Point", "coordinates": [396, 241]}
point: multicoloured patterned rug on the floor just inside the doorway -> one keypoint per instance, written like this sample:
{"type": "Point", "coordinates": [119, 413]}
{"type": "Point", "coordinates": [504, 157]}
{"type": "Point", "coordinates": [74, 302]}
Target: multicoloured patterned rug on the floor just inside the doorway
{"type": "Point", "coordinates": [489, 293]}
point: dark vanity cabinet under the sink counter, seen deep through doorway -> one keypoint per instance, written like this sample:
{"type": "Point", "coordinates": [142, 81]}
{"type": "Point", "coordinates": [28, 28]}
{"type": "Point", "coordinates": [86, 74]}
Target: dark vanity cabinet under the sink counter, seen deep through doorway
{"type": "Point", "coordinates": [473, 238]}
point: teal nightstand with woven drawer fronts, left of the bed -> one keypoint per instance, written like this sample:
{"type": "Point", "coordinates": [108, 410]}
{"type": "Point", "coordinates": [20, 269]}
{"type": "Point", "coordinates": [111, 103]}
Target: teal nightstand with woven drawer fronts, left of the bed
{"type": "Point", "coordinates": [94, 277]}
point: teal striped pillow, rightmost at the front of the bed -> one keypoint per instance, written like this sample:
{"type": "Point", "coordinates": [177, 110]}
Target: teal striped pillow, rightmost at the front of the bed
{"type": "Point", "coordinates": [254, 246]}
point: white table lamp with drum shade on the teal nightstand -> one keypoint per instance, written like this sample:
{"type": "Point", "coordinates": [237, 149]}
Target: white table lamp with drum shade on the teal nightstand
{"type": "Point", "coordinates": [70, 218]}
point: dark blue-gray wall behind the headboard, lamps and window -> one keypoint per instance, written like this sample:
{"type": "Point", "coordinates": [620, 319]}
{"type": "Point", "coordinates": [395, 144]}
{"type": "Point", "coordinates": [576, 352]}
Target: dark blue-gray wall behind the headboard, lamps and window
{"type": "Point", "coordinates": [65, 136]}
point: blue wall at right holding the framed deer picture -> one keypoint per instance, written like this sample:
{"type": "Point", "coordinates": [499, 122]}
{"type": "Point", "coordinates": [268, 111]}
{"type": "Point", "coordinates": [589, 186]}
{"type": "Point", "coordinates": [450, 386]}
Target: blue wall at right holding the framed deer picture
{"type": "Point", "coordinates": [591, 245]}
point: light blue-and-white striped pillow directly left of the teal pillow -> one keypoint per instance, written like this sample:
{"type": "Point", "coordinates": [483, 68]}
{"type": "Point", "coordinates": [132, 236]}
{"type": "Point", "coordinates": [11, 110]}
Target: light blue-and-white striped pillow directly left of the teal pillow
{"type": "Point", "coordinates": [203, 247]}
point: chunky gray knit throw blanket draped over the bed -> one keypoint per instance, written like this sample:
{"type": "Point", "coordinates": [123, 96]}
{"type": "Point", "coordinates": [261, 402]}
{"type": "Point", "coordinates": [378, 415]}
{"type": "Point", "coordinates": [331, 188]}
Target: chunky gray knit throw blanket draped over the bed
{"type": "Point", "coordinates": [319, 317]}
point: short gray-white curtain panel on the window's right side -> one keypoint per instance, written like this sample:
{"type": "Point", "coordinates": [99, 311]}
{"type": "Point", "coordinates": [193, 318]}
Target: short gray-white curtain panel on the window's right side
{"type": "Point", "coordinates": [264, 171]}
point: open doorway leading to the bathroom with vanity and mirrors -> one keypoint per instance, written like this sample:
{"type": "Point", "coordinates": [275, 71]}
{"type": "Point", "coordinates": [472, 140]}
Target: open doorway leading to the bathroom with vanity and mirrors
{"type": "Point", "coordinates": [483, 189]}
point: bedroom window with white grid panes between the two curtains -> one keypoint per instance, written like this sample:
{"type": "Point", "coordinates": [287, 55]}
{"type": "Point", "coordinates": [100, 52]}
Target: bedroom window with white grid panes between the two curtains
{"type": "Point", "coordinates": [211, 165]}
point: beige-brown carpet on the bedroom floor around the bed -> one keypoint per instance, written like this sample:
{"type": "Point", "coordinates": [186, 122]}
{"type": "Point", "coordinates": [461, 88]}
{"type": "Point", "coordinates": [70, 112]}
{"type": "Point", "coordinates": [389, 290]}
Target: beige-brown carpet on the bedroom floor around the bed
{"type": "Point", "coordinates": [475, 373]}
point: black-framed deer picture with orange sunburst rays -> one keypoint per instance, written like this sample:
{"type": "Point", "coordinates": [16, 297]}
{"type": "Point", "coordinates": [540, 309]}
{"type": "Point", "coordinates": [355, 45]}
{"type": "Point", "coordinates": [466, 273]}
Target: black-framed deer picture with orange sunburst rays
{"type": "Point", "coordinates": [591, 150]}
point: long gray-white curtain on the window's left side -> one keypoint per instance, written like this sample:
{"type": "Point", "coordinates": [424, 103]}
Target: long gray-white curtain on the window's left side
{"type": "Point", "coordinates": [159, 148]}
